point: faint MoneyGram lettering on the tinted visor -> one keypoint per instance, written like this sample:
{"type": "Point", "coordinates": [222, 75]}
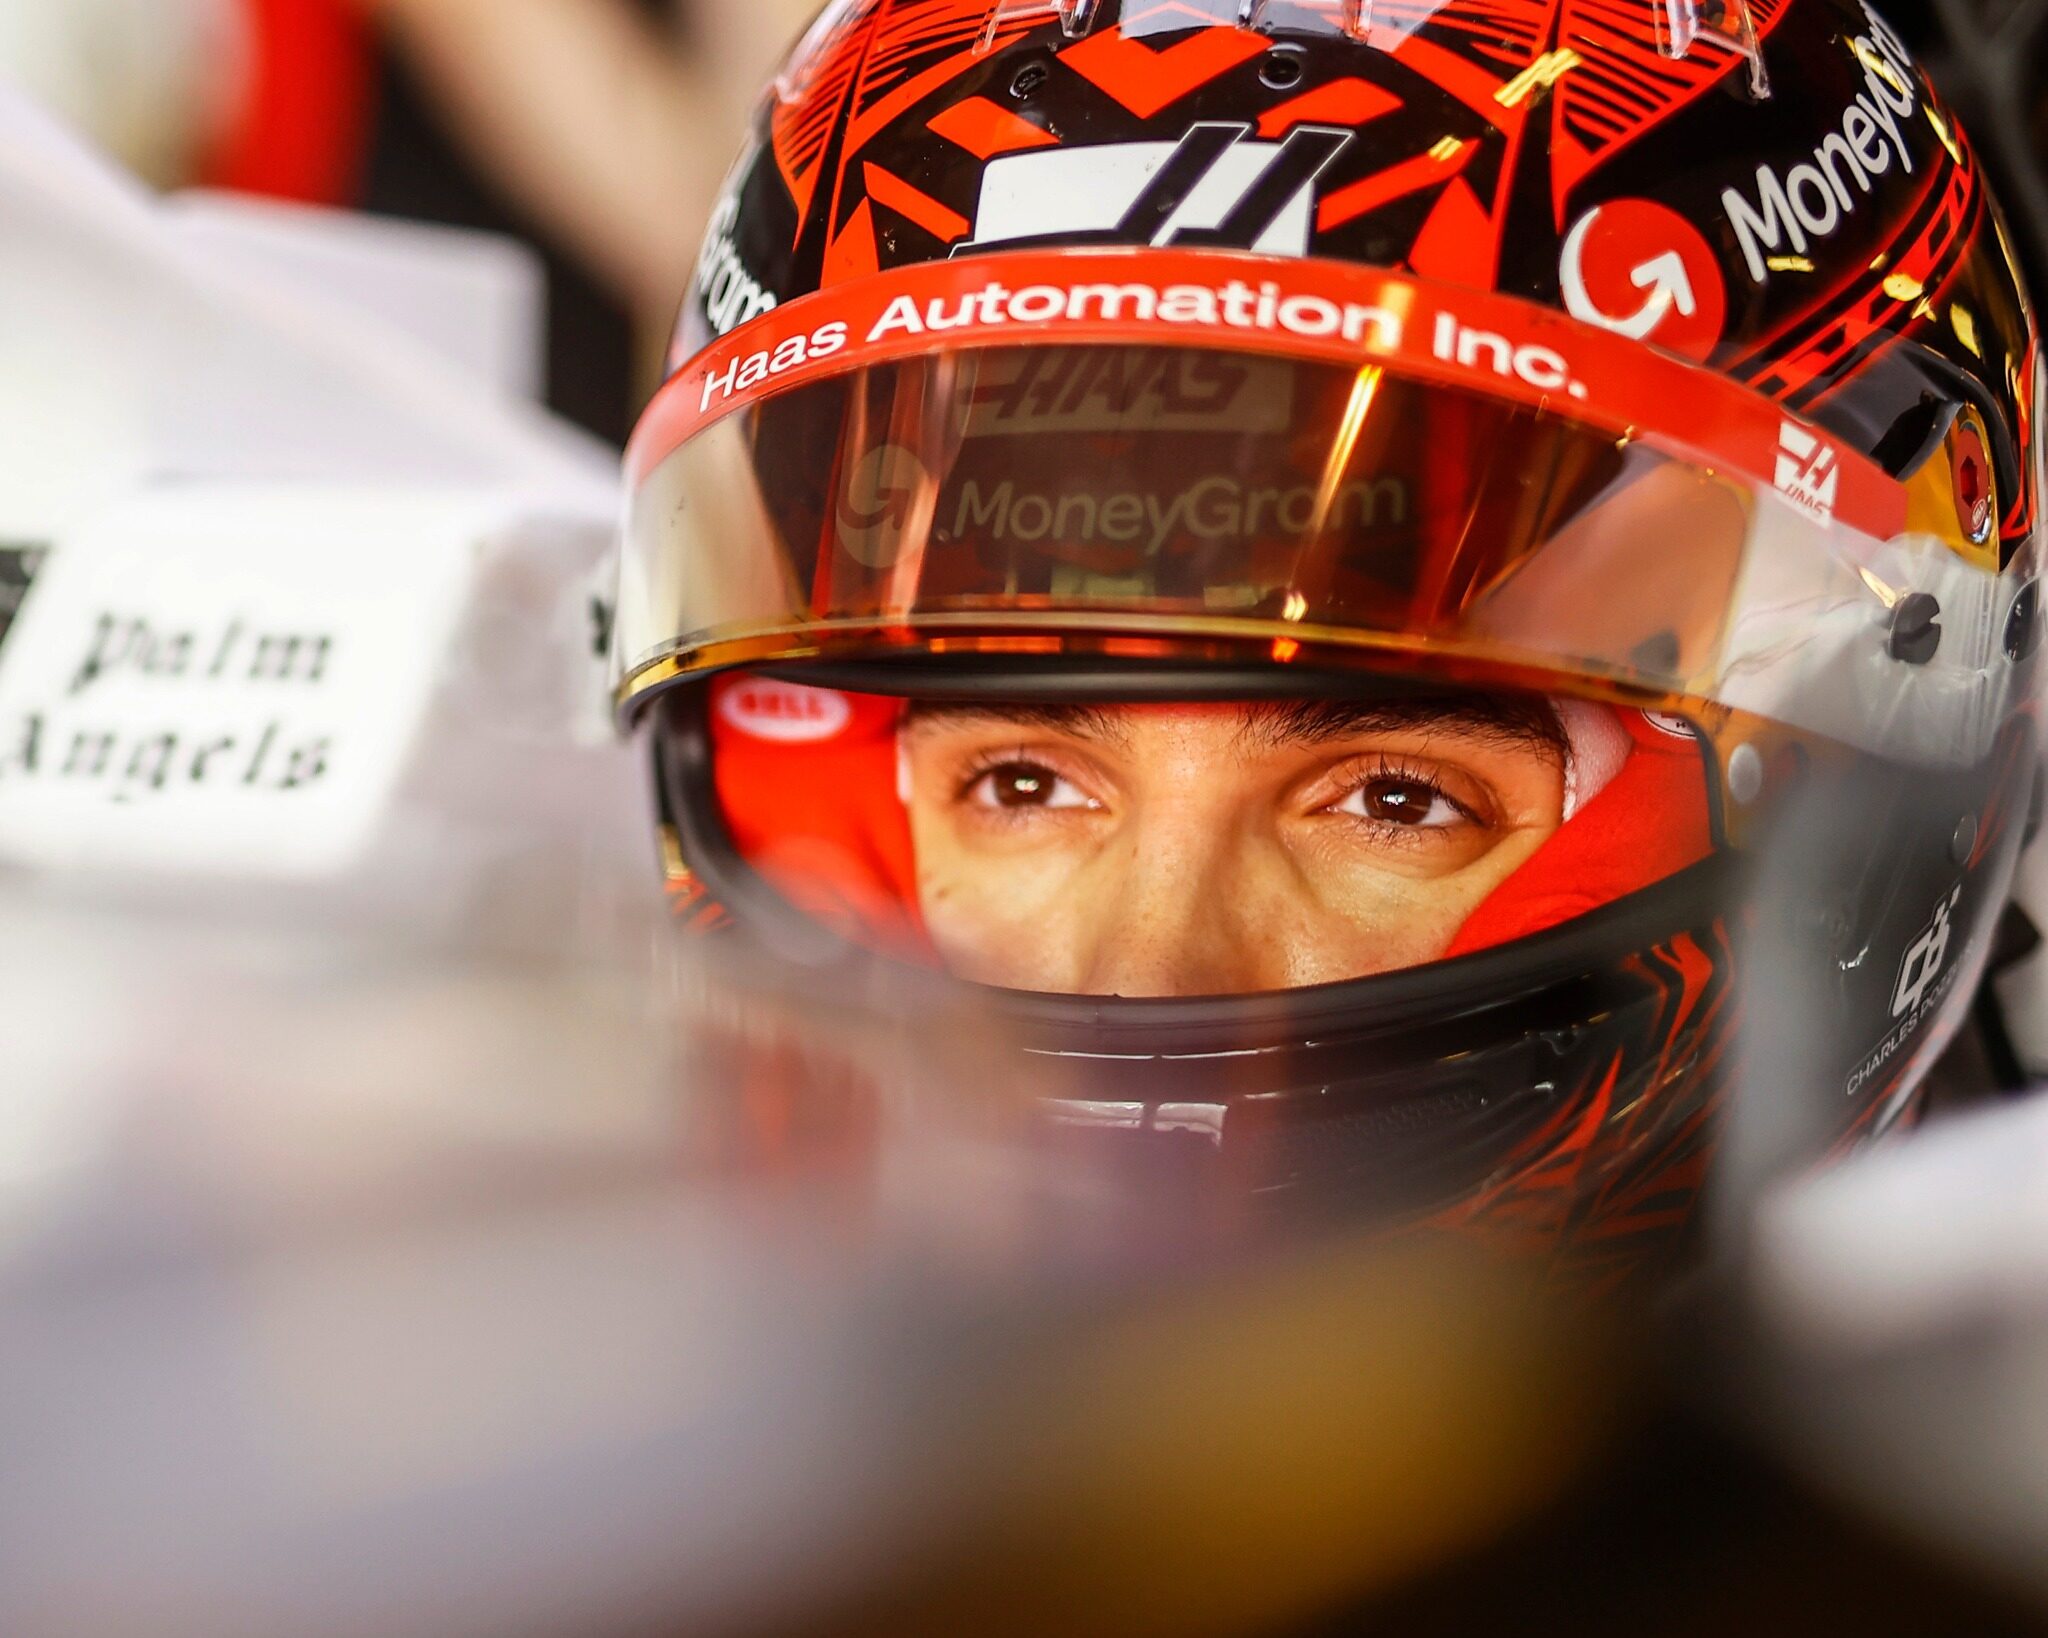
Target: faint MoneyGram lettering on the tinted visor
{"type": "Point", "coordinates": [1211, 509]}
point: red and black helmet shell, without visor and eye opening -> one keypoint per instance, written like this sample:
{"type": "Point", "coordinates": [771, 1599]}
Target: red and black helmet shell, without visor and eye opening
{"type": "Point", "coordinates": [1768, 189]}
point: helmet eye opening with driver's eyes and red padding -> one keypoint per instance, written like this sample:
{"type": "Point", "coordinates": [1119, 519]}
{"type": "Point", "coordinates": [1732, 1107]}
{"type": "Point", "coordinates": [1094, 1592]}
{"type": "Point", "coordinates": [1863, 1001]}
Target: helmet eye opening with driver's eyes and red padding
{"type": "Point", "coordinates": [1199, 849]}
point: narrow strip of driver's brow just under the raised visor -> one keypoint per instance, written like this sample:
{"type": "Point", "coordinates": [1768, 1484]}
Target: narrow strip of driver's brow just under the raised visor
{"type": "Point", "coordinates": [1504, 722]}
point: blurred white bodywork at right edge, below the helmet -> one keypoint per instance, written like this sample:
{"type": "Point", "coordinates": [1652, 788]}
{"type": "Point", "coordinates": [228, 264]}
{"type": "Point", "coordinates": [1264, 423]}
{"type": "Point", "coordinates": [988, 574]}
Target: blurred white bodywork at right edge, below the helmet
{"type": "Point", "coordinates": [1902, 1311]}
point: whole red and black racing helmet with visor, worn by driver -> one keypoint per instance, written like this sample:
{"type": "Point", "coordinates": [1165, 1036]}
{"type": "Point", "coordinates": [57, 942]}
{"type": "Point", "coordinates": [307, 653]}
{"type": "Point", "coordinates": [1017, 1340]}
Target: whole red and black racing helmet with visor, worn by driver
{"type": "Point", "coordinates": [1646, 386]}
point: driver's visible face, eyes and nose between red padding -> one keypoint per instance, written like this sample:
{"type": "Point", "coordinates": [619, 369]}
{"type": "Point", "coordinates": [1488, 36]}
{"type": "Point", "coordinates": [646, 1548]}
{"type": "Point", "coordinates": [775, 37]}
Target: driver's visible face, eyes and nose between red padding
{"type": "Point", "coordinates": [1218, 849]}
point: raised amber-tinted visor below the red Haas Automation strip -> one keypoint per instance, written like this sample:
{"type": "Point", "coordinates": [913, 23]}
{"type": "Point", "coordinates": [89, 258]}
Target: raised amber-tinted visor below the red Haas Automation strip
{"type": "Point", "coordinates": [1064, 494]}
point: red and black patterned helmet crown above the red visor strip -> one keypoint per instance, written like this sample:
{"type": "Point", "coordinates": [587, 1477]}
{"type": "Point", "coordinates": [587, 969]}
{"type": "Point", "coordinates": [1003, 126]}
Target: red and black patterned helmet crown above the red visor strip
{"type": "Point", "coordinates": [1779, 193]}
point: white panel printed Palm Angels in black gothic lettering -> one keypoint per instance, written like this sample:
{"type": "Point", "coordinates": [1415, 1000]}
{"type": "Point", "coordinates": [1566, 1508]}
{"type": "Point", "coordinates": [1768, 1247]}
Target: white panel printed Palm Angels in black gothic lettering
{"type": "Point", "coordinates": [228, 679]}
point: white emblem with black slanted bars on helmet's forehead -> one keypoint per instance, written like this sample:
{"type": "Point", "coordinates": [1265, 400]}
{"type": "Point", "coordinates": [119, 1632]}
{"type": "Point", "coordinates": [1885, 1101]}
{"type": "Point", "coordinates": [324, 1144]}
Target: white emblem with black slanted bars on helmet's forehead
{"type": "Point", "coordinates": [1207, 189]}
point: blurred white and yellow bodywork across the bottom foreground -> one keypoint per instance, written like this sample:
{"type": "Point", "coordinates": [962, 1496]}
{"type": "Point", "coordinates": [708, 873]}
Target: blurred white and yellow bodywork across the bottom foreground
{"type": "Point", "coordinates": [353, 1289]}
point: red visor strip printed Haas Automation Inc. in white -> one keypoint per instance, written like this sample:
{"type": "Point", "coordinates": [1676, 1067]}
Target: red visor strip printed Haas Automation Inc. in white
{"type": "Point", "coordinates": [1316, 310]}
